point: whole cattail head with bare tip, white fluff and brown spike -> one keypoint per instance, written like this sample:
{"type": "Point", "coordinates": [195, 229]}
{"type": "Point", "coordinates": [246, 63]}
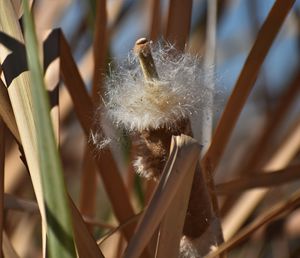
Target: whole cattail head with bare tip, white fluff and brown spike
{"type": "Point", "coordinates": [152, 97]}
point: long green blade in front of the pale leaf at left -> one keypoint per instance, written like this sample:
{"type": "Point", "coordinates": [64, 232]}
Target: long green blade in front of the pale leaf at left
{"type": "Point", "coordinates": [59, 227]}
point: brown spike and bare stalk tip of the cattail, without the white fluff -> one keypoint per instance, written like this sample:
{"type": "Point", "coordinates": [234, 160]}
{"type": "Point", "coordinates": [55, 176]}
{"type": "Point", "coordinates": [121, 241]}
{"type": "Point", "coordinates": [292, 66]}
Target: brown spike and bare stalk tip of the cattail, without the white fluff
{"type": "Point", "coordinates": [153, 145]}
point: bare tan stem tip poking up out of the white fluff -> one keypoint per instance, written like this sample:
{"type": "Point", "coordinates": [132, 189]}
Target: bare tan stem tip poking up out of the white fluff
{"type": "Point", "coordinates": [143, 51]}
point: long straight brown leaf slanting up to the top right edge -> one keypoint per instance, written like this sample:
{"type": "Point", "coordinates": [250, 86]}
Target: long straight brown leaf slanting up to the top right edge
{"type": "Point", "coordinates": [245, 82]}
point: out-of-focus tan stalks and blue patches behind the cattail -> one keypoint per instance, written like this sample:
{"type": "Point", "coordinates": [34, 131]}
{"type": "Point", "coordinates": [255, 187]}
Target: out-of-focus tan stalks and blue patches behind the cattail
{"type": "Point", "coordinates": [238, 23]}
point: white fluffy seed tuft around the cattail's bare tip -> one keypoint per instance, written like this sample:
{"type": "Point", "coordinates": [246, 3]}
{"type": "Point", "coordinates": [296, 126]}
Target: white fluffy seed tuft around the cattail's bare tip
{"type": "Point", "coordinates": [136, 105]}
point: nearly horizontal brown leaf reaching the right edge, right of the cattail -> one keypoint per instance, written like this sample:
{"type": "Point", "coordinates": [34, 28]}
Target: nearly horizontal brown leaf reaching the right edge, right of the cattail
{"type": "Point", "coordinates": [260, 179]}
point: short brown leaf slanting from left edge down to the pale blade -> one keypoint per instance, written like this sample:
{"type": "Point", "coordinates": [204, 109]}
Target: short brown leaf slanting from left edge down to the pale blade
{"type": "Point", "coordinates": [6, 112]}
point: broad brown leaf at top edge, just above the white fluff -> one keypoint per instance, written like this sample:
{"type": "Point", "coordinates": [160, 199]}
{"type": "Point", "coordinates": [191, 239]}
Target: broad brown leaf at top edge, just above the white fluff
{"type": "Point", "coordinates": [178, 30]}
